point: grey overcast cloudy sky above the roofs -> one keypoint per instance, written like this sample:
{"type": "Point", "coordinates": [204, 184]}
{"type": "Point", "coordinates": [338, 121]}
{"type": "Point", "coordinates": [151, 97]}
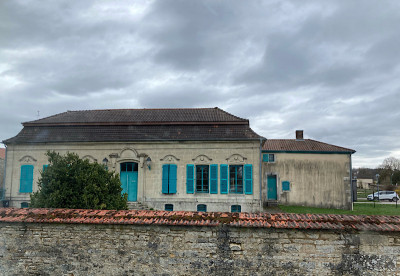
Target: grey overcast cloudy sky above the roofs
{"type": "Point", "coordinates": [331, 68]}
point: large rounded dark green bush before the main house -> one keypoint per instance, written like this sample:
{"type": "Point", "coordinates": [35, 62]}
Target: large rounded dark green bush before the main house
{"type": "Point", "coordinates": [71, 182]}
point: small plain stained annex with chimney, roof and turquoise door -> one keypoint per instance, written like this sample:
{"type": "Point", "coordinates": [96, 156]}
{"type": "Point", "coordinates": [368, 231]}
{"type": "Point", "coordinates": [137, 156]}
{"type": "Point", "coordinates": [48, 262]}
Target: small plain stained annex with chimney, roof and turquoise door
{"type": "Point", "coordinates": [306, 172]}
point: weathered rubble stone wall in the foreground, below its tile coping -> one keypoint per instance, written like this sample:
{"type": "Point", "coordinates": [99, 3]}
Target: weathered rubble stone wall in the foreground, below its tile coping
{"type": "Point", "coordinates": [101, 249]}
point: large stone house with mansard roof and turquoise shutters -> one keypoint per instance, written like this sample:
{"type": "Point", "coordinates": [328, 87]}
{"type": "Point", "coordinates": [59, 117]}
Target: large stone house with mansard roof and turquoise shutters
{"type": "Point", "coordinates": [201, 159]}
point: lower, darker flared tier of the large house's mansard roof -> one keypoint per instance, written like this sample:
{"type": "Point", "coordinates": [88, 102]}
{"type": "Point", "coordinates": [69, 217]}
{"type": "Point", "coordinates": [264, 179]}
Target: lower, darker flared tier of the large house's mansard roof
{"type": "Point", "coordinates": [125, 133]}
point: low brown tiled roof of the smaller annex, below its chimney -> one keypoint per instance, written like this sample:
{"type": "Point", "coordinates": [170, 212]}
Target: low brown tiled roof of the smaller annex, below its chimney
{"type": "Point", "coordinates": [306, 145]}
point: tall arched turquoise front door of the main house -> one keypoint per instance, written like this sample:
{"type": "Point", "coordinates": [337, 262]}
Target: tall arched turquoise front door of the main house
{"type": "Point", "coordinates": [129, 177]}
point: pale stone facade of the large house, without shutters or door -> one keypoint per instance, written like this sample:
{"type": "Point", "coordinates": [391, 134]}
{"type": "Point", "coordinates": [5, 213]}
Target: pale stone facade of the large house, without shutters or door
{"type": "Point", "coordinates": [149, 180]}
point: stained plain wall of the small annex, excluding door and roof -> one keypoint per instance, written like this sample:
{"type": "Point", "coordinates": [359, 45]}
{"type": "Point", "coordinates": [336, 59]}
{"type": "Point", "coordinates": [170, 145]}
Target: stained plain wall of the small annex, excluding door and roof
{"type": "Point", "coordinates": [315, 179]}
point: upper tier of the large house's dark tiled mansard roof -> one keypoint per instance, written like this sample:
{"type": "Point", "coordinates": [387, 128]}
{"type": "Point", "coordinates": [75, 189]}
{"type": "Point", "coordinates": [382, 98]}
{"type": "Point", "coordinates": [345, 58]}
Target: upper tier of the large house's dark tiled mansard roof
{"type": "Point", "coordinates": [141, 116]}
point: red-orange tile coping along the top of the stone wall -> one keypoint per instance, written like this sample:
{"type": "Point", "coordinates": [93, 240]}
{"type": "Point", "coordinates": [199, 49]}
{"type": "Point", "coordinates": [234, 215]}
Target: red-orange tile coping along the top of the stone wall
{"type": "Point", "coordinates": [261, 220]}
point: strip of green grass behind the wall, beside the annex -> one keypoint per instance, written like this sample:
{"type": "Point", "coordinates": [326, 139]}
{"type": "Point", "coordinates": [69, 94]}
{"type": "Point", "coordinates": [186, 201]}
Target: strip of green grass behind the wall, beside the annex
{"type": "Point", "coordinates": [359, 209]}
